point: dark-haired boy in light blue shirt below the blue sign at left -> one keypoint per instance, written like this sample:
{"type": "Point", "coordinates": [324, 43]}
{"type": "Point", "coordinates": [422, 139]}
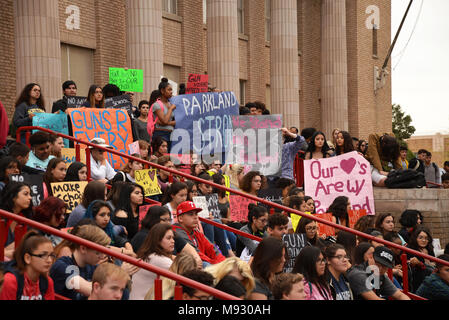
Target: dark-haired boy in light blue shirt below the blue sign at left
{"type": "Point", "coordinates": [40, 151]}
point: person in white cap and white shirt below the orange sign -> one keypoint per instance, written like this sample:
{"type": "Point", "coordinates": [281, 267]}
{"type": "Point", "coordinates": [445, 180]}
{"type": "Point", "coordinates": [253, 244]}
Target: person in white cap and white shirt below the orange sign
{"type": "Point", "coordinates": [100, 169]}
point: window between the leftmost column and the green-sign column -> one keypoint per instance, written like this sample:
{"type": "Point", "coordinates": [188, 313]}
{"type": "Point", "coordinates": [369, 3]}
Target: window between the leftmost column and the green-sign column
{"type": "Point", "coordinates": [77, 64]}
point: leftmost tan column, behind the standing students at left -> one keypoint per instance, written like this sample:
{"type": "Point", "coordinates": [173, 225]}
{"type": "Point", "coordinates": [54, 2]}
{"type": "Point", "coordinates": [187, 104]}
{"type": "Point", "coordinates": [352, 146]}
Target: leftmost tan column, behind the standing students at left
{"type": "Point", "coordinates": [38, 47]}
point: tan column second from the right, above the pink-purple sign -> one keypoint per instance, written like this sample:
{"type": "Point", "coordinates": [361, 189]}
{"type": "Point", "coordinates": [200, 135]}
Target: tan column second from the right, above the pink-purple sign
{"type": "Point", "coordinates": [284, 61]}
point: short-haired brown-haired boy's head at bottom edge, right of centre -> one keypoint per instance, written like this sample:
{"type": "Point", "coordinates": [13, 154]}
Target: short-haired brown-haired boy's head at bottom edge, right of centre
{"type": "Point", "coordinates": [288, 286]}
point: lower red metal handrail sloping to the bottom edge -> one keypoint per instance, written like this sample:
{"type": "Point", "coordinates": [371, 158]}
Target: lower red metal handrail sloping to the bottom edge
{"type": "Point", "coordinates": [120, 256]}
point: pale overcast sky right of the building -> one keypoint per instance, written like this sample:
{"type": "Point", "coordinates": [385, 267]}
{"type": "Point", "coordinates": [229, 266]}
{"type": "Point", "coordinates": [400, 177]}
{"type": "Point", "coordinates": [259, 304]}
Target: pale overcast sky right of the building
{"type": "Point", "coordinates": [420, 70]}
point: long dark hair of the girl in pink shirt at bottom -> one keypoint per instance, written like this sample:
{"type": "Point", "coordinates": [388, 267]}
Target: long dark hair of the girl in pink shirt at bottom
{"type": "Point", "coordinates": [306, 265]}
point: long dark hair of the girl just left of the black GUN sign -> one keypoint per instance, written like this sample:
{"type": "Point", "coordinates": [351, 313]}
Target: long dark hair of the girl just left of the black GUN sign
{"type": "Point", "coordinates": [268, 253]}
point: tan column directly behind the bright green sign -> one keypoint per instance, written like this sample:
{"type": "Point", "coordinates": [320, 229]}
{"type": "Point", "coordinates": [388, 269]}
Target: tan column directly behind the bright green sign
{"type": "Point", "coordinates": [144, 42]}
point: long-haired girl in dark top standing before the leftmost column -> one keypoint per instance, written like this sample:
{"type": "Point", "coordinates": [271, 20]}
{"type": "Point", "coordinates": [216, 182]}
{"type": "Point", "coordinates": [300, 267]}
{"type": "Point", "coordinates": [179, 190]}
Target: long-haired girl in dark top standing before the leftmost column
{"type": "Point", "coordinates": [29, 102]}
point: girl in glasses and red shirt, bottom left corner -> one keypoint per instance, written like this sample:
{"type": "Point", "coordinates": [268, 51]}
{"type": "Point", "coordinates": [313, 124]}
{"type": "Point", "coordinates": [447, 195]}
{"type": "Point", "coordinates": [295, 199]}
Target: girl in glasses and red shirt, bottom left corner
{"type": "Point", "coordinates": [27, 277]}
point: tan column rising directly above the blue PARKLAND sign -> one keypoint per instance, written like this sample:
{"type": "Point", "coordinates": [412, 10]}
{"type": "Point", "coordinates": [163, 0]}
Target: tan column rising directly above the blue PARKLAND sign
{"type": "Point", "coordinates": [222, 45]}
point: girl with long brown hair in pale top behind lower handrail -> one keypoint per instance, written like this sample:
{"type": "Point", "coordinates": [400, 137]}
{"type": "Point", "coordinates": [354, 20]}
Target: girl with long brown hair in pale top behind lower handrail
{"type": "Point", "coordinates": [156, 250]}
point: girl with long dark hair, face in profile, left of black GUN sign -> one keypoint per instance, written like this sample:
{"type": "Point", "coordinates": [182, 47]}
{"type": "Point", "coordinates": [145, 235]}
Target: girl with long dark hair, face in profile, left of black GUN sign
{"type": "Point", "coordinates": [268, 260]}
